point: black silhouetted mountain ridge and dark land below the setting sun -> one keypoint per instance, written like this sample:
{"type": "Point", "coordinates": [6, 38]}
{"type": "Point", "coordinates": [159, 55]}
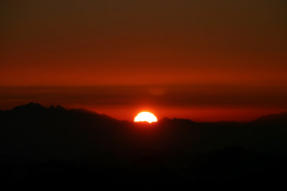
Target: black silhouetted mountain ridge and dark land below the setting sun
{"type": "Point", "coordinates": [58, 146]}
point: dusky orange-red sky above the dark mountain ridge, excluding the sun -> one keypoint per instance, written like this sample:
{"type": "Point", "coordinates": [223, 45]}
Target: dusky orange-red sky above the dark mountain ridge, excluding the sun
{"type": "Point", "coordinates": [202, 59]}
